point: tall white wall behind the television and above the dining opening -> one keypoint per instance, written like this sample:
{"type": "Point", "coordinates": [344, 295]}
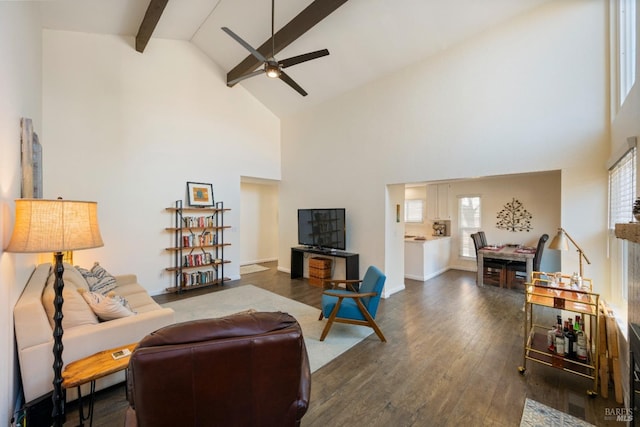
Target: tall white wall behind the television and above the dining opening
{"type": "Point", "coordinates": [528, 96]}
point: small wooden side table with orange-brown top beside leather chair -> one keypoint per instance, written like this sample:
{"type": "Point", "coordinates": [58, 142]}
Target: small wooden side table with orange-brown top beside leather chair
{"type": "Point", "coordinates": [90, 369]}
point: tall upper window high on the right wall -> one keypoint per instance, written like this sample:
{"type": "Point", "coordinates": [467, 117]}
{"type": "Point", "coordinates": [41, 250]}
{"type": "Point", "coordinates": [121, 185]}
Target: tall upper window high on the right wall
{"type": "Point", "coordinates": [626, 27]}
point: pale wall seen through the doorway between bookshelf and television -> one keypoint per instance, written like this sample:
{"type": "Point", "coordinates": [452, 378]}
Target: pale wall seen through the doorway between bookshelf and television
{"type": "Point", "coordinates": [258, 221]}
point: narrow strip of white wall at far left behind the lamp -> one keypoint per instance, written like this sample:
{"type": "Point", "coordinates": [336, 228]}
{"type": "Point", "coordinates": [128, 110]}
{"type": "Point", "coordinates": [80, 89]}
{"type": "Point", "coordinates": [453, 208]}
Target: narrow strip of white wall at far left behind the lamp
{"type": "Point", "coordinates": [20, 92]}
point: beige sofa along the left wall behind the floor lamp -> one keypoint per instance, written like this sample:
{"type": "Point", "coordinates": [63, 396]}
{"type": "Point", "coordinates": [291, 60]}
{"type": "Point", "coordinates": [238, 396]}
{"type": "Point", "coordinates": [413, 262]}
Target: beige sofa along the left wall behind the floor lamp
{"type": "Point", "coordinates": [84, 333]}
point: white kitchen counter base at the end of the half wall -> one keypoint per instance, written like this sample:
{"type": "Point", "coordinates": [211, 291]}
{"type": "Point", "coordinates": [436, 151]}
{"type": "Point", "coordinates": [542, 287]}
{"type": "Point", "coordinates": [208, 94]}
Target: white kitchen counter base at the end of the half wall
{"type": "Point", "coordinates": [424, 259]}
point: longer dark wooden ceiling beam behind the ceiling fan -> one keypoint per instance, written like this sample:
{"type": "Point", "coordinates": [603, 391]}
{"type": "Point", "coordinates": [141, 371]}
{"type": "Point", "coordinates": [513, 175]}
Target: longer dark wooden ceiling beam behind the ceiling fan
{"type": "Point", "coordinates": [303, 22]}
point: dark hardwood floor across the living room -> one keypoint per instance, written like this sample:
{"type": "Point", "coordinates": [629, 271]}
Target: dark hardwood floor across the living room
{"type": "Point", "coordinates": [451, 359]}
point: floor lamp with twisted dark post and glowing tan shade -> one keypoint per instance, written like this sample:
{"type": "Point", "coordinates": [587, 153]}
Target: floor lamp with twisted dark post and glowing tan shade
{"type": "Point", "coordinates": [55, 226]}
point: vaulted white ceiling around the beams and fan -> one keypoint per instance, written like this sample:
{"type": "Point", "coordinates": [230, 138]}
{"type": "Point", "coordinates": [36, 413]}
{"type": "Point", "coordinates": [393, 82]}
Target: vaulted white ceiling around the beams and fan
{"type": "Point", "coordinates": [367, 39]}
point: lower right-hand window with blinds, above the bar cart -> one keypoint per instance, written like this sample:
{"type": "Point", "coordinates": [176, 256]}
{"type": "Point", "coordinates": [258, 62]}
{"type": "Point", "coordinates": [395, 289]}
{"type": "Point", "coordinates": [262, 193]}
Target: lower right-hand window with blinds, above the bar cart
{"type": "Point", "coordinates": [622, 190]}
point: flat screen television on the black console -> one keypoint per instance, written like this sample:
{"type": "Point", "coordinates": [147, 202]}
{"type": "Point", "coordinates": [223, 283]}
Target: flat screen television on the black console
{"type": "Point", "coordinates": [322, 228]}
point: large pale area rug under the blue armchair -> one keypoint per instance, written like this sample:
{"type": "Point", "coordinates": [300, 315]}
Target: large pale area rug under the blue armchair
{"type": "Point", "coordinates": [216, 304]}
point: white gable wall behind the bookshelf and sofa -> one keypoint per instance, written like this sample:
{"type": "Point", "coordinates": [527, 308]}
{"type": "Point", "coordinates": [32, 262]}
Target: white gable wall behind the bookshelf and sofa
{"type": "Point", "coordinates": [129, 130]}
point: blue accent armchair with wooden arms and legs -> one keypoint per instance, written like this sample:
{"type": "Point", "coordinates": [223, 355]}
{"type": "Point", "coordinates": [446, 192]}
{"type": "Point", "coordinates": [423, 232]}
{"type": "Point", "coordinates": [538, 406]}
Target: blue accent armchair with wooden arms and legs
{"type": "Point", "coordinates": [357, 304]}
